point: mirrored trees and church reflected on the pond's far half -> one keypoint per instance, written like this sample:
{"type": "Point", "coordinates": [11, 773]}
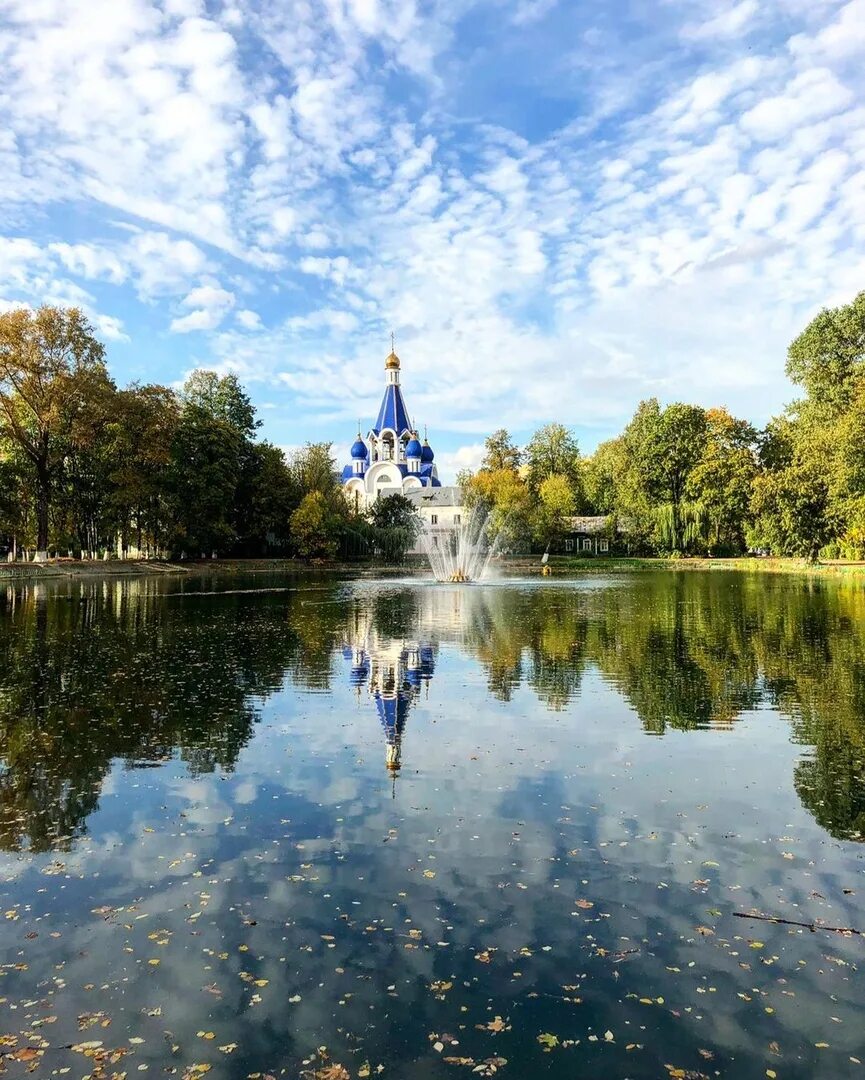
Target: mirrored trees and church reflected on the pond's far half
{"type": "Point", "coordinates": [150, 670]}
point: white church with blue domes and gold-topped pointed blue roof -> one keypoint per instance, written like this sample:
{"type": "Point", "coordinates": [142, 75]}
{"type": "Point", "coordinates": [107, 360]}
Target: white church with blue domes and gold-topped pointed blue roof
{"type": "Point", "coordinates": [390, 460]}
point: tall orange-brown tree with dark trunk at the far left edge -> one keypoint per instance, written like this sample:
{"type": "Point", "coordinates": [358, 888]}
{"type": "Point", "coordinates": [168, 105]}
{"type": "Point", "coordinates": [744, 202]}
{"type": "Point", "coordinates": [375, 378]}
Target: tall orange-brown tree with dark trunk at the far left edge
{"type": "Point", "coordinates": [51, 369]}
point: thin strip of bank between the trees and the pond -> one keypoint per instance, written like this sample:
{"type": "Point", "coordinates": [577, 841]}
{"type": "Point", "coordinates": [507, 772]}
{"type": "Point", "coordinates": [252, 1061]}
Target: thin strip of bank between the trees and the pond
{"type": "Point", "coordinates": [560, 566]}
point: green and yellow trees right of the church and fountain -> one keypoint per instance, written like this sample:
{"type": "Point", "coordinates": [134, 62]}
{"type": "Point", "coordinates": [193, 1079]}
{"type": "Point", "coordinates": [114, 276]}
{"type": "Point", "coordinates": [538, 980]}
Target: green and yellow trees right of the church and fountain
{"type": "Point", "coordinates": [691, 481]}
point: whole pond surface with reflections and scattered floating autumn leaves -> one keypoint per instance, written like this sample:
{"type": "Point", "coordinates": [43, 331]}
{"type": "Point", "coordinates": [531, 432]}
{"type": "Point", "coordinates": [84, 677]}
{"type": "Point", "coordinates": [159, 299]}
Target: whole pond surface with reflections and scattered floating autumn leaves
{"type": "Point", "coordinates": [330, 828]}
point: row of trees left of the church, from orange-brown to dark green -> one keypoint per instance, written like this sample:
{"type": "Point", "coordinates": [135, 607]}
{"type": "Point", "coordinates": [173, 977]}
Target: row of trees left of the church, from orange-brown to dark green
{"type": "Point", "coordinates": [87, 467]}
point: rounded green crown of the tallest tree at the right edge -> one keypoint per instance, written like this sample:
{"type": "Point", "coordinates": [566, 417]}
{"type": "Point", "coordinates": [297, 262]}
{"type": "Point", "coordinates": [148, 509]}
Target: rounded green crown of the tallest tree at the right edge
{"type": "Point", "coordinates": [830, 354]}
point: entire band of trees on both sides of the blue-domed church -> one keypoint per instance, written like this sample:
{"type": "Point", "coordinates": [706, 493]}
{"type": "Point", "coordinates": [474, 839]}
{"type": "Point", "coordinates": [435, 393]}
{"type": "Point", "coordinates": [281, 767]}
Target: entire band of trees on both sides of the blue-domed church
{"type": "Point", "coordinates": [89, 467]}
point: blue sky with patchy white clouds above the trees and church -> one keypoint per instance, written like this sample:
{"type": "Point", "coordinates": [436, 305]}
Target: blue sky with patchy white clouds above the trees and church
{"type": "Point", "coordinates": [559, 208]}
